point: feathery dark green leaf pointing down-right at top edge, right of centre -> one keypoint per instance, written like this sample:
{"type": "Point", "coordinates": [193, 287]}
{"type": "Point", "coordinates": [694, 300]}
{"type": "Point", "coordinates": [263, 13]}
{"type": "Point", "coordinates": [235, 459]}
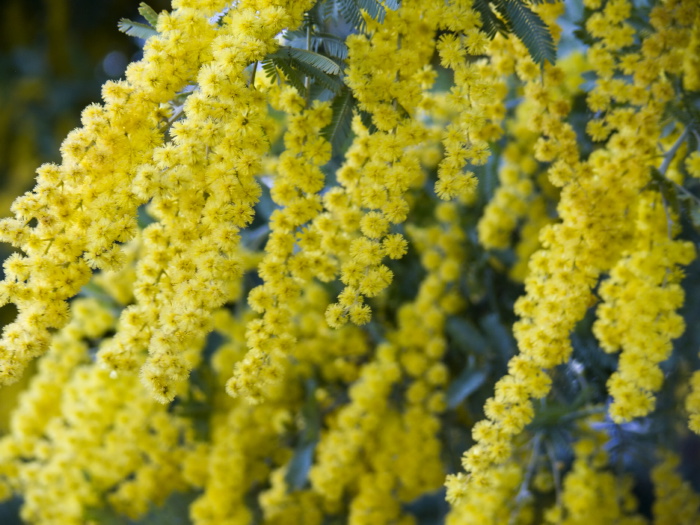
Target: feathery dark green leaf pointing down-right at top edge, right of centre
{"type": "Point", "coordinates": [529, 28]}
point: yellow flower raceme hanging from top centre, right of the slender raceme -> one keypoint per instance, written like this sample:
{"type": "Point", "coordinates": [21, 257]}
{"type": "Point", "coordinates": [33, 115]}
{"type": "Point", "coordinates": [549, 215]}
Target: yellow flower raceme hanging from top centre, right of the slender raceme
{"type": "Point", "coordinates": [387, 72]}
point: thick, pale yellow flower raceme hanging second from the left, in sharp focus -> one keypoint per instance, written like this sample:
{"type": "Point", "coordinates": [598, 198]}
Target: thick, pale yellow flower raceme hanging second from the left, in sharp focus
{"type": "Point", "coordinates": [204, 191]}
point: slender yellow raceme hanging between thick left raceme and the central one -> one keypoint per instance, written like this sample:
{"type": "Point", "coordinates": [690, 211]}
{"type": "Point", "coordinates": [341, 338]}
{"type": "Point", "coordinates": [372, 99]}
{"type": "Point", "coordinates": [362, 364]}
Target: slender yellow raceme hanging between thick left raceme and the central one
{"type": "Point", "coordinates": [296, 188]}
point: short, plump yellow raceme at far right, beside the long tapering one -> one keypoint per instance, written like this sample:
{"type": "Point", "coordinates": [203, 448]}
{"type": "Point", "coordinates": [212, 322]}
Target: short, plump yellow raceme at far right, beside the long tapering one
{"type": "Point", "coordinates": [643, 289]}
